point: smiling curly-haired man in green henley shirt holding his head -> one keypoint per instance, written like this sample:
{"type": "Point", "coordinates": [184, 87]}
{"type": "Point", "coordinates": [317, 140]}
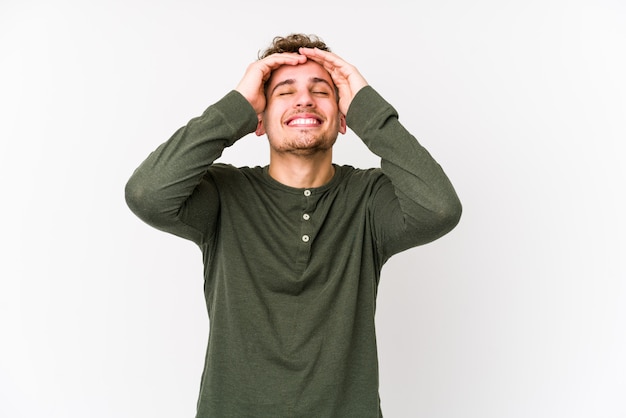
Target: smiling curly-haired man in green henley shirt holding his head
{"type": "Point", "coordinates": [293, 251]}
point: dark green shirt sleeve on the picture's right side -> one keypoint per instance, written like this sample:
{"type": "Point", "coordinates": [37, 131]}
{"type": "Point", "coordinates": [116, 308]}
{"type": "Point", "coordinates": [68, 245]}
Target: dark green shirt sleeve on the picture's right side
{"type": "Point", "coordinates": [415, 202]}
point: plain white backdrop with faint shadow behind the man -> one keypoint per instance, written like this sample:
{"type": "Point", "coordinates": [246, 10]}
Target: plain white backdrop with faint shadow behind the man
{"type": "Point", "coordinates": [520, 312]}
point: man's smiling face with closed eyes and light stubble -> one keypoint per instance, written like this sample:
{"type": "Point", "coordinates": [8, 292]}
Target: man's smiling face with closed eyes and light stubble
{"type": "Point", "coordinates": [301, 115]}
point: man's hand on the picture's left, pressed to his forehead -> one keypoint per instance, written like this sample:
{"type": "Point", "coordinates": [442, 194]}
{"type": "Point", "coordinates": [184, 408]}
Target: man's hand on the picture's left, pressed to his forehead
{"type": "Point", "coordinates": [257, 73]}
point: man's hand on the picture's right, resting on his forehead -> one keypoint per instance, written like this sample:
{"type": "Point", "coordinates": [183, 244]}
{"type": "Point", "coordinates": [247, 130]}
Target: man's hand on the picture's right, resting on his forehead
{"type": "Point", "coordinates": [345, 76]}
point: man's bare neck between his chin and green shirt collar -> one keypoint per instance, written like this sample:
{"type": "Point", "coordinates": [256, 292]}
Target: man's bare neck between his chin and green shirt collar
{"type": "Point", "coordinates": [302, 171]}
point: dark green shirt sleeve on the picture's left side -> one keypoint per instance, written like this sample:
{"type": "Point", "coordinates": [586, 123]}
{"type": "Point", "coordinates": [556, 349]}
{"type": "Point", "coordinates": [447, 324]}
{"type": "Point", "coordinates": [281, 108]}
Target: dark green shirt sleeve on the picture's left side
{"type": "Point", "coordinates": [171, 189]}
